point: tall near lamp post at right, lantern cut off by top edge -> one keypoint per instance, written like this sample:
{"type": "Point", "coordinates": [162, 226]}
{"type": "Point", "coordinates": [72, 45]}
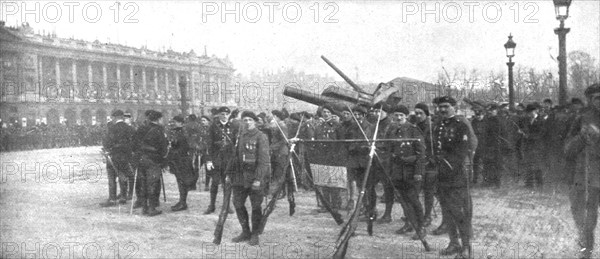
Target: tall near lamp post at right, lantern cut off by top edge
{"type": "Point", "coordinates": [561, 8]}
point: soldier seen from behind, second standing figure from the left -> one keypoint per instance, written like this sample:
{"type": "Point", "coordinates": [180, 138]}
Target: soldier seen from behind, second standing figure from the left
{"type": "Point", "coordinates": [151, 145]}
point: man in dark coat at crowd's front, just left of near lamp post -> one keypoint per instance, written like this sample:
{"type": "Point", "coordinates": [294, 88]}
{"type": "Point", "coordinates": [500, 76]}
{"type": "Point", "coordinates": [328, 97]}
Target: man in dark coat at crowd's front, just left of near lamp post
{"type": "Point", "coordinates": [532, 130]}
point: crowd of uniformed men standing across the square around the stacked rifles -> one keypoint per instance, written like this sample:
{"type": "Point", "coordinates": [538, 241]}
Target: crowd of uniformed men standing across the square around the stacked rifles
{"type": "Point", "coordinates": [435, 151]}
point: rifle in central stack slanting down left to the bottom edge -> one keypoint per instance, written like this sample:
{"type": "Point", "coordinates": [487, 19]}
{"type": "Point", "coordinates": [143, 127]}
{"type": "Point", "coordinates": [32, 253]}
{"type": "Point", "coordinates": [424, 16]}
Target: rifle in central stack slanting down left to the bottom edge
{"type": "Point", "coordinates": [341, 244]}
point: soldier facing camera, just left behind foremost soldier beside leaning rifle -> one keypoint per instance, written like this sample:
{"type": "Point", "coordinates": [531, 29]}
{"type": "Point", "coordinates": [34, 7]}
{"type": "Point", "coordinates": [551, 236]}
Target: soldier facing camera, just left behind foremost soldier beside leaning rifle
{"type": "Point", "coordinates": [221, 140]}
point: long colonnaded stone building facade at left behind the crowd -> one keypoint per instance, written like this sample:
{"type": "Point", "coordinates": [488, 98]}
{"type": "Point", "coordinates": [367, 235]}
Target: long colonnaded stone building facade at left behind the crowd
{"type": "Point", "coordinates": [46, 79]}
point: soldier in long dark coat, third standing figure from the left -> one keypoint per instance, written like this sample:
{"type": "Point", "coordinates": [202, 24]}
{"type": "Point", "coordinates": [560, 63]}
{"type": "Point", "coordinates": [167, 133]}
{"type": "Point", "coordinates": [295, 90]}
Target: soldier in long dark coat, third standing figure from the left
{"type": "Point", "coordinates": [180, 162]}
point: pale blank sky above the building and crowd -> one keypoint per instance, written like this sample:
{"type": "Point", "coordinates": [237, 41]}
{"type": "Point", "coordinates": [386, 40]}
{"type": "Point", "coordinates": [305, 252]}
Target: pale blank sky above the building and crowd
{"type": "Point", "coordinates": [374, 40]}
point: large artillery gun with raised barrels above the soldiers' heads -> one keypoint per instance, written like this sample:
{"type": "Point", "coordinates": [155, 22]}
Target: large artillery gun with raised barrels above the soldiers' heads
{"type": "Point", "coordinates": [339, 98]}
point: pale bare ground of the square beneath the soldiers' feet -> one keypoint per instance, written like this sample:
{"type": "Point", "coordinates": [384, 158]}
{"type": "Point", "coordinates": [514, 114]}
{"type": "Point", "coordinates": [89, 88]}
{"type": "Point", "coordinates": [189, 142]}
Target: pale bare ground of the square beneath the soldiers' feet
{"type": "Point", "coordinates": [49, 209]}
